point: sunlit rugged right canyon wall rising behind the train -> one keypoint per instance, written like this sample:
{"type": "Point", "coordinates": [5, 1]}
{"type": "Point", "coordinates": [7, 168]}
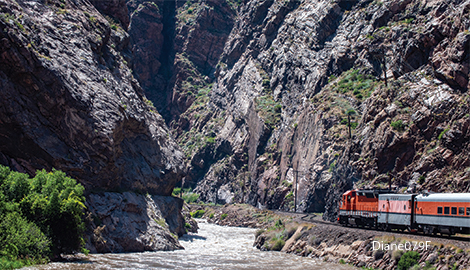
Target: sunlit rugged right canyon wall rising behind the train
{"type": "Point", "coordinates": [275, 115]}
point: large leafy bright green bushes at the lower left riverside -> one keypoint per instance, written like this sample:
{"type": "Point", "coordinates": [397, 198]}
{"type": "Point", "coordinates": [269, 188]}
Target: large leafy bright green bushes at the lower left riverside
{"type": "Point", "coordinates": [40, 217]}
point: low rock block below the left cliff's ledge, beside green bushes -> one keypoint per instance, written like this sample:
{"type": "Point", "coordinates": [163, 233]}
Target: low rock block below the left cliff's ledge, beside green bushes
{"type": "Point", "coordinates": [130, 222]}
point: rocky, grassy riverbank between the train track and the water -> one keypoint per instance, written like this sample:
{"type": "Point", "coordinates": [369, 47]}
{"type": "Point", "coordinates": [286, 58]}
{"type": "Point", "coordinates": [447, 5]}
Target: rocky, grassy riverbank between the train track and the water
{"type": "Point", "coordinates": [309, 236]}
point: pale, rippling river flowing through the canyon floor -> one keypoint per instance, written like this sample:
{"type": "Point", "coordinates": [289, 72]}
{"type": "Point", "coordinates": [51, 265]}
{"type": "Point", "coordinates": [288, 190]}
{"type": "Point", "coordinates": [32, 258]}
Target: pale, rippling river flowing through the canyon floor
{"type": "Point", "coordinates": [213, 247]}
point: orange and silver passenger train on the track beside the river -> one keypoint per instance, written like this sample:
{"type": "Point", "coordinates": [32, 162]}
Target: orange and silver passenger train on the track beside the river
{"type": "Point", "coordinates": [429, 213]}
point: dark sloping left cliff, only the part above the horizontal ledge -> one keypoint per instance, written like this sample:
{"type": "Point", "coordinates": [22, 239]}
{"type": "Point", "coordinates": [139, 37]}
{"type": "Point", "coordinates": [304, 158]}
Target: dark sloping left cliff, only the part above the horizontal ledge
{"type": "Point", "coordinates": [71, 103]}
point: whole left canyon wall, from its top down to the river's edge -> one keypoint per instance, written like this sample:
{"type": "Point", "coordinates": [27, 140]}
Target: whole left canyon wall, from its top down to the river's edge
{"type": "Point", "coordinates": [70, 102]}
